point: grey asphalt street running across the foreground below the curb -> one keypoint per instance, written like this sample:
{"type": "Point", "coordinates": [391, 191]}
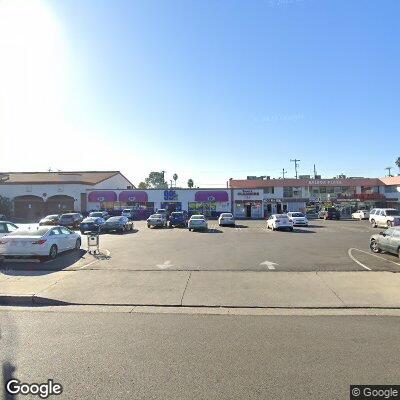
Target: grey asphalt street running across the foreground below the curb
{"type": "Point", "coordinates": [107, 355]}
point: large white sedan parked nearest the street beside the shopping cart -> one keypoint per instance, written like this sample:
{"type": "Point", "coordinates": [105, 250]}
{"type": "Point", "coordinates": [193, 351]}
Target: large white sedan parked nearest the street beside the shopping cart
{"type": "Point", "coordinates": [42, 241]}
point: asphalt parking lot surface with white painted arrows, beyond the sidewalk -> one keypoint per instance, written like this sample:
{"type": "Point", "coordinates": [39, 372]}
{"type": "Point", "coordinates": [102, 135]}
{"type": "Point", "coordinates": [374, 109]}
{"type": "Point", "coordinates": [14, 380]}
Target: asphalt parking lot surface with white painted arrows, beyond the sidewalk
{"type": "Point", "coordinates": [250, 246]}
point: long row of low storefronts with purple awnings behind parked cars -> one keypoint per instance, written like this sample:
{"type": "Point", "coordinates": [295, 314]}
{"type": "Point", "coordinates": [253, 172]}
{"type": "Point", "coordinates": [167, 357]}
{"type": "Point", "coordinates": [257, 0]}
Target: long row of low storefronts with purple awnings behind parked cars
{"type": "Point", "coordinates": [36, 194]}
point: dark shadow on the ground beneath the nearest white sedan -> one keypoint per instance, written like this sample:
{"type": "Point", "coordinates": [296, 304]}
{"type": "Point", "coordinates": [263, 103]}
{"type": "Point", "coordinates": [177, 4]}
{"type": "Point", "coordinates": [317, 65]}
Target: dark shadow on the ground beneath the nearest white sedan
{"type": "Point", "coordinates": [32, 266]}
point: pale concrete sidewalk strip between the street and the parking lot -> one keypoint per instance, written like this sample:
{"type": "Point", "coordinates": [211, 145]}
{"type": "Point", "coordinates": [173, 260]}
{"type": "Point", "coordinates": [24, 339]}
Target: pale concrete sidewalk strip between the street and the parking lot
{"type": "Point", "coordinates": [203, 289]}
